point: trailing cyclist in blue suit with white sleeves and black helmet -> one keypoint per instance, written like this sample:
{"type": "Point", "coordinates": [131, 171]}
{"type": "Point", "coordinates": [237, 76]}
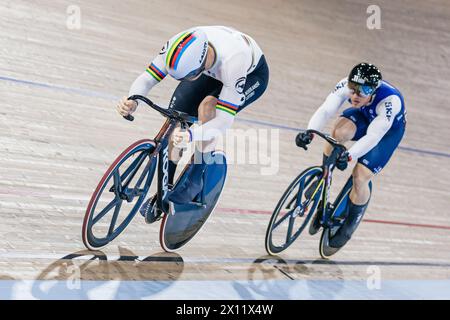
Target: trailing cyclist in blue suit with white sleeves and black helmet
{"type": "Point", "coordinates": [376, 120]}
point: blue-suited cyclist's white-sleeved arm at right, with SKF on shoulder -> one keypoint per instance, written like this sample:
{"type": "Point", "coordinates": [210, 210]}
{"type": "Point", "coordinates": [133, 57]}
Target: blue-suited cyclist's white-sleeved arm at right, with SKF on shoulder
{"type": "Point", "coordinates": [387, 109]}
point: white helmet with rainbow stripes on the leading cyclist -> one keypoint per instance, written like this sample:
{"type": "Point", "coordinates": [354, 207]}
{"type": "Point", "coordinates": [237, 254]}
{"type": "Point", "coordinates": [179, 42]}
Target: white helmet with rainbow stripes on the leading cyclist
{"type": "Point", "coordinates": [186, 54]}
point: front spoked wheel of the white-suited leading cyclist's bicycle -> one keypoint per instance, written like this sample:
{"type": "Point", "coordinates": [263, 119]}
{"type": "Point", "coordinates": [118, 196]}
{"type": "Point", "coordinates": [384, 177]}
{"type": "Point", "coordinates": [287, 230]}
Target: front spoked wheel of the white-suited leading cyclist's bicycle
{"type": "Point", "coordinates": [119, 194]}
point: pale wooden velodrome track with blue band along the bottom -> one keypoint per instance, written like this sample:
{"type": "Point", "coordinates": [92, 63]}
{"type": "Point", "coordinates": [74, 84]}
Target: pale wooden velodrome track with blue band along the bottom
{"type": "Point", "coordinates": [59, 131]}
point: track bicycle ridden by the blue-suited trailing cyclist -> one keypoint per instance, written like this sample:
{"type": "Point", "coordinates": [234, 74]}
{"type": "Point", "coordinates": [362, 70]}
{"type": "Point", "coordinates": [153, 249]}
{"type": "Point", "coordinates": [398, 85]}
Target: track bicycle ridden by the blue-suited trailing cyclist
{"type": "Point", "coordinates": [306, 197]}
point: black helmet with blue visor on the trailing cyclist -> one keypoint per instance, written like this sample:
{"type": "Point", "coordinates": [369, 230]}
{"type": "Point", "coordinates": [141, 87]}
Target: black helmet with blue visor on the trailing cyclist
{"type": "Point", "coordinates": [366, 76]}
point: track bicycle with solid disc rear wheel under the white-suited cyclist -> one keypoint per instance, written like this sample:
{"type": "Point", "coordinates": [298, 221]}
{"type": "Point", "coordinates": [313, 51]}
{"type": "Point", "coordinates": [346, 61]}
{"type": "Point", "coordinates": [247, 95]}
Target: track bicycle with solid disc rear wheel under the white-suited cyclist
{"type": "Point", "coordinates": [125, 185]}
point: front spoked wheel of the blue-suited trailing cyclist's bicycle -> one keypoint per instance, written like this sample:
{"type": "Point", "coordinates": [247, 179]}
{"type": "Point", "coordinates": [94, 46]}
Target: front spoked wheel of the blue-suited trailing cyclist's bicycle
{"type": "Point", "coordinates": [293, 211]}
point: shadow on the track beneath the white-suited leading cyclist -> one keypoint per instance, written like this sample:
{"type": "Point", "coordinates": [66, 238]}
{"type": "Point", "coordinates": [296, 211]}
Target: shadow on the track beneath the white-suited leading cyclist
{"type": "Point", "coordinates": [127, 277]}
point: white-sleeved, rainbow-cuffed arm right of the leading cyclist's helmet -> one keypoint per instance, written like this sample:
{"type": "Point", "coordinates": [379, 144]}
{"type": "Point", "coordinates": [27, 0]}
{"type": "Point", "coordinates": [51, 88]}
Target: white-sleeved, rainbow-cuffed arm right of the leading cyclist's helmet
{"type": "Point", "coordinates": [228, 103]}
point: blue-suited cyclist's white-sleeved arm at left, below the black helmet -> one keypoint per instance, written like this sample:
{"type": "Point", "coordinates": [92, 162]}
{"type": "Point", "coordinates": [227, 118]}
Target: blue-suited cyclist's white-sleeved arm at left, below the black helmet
{"type": "Point", "coordinates": [330, 107]}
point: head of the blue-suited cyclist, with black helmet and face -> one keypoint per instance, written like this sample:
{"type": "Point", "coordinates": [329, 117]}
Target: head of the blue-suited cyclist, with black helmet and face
{"type": "Point", "coordinates": [364, 79]}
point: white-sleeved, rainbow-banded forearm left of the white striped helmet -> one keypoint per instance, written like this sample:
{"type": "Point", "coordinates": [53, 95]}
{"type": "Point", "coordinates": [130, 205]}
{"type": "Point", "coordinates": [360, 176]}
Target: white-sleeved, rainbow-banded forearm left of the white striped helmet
{"type": "Point", "coordinates": [154, 73]}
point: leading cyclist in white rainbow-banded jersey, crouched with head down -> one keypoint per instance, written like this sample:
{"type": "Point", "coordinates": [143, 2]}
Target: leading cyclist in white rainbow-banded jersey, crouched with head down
{"type": "Point", "coordinates": [221, 71]}
